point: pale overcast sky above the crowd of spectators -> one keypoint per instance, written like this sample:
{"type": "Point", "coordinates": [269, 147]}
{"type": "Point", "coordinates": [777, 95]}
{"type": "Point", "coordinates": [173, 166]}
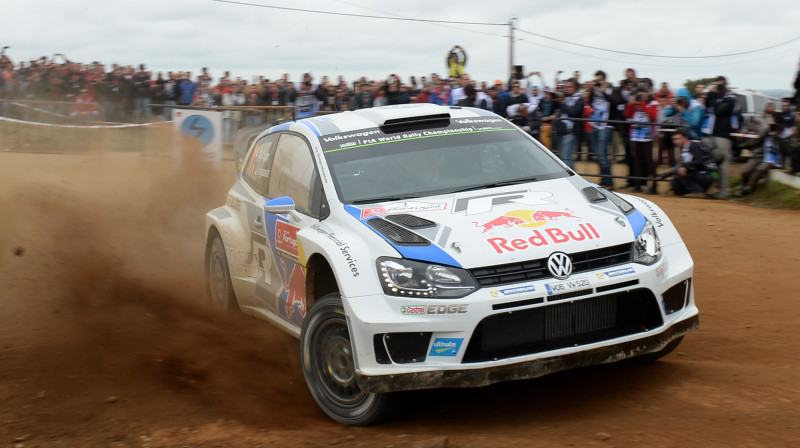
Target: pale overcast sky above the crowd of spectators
{"type": "Point", "coordinates": [252, 40]}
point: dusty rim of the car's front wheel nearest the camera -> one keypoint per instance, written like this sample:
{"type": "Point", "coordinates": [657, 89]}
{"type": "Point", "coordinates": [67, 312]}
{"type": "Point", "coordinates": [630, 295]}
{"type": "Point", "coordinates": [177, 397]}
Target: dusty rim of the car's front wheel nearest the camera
{"type": "Point", "coordinates": [334, 365]}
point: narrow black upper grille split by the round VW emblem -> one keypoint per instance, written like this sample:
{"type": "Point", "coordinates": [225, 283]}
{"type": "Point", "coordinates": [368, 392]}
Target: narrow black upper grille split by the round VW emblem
{"type": "Point", "coordinates": [537, 269]}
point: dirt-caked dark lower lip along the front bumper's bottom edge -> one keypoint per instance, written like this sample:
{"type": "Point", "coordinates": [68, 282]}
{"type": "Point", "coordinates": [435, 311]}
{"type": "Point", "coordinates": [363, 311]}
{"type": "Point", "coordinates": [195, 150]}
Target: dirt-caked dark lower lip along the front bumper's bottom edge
{"type": "Point", "coordinates": [526, 369]}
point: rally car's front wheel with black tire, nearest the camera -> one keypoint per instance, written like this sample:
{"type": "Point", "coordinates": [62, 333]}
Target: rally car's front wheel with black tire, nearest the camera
{"type": "Point", "coordinates": [328, 367]}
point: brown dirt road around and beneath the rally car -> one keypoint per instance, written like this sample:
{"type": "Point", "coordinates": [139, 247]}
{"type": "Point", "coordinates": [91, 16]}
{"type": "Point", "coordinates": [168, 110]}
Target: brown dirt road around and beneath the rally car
{"type": "Point", "coordinates": [103, 344]}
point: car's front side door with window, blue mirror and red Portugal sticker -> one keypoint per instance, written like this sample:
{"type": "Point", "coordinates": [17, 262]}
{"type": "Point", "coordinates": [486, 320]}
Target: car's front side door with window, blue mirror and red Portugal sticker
{"type": "Point", "coordinates": [294, 175]}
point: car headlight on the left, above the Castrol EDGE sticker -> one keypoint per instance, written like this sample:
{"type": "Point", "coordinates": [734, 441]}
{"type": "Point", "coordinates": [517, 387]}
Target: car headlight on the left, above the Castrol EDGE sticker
{"type": "Point", "coordinates": [408, 278]}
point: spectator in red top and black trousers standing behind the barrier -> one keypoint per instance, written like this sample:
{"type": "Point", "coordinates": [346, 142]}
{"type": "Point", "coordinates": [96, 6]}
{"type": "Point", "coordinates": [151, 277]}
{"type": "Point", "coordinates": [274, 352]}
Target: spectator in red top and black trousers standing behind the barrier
{"type": "Point", "coordinates": [640, 110]}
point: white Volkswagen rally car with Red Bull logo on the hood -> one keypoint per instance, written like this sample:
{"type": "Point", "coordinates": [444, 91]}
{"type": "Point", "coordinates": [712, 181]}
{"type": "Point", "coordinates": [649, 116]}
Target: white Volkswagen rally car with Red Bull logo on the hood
{"type": "Point", "coordinates": [420, 246]}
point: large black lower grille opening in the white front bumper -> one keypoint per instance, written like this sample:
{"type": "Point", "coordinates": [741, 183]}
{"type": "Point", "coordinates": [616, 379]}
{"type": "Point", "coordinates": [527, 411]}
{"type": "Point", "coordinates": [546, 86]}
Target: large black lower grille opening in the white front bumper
{"type": "Point", "coordinates": [566, 324]}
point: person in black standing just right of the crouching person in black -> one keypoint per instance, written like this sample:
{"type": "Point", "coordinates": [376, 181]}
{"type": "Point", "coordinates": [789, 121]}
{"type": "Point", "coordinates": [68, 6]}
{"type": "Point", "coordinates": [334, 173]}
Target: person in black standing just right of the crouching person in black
{"type": "Point", "coordinates": [722, 107]}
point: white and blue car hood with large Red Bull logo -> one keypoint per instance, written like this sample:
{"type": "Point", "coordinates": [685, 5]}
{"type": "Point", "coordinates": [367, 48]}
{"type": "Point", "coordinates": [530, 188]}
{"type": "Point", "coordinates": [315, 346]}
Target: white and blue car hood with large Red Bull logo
{"type": "Point", "coordinates": [500, 225]}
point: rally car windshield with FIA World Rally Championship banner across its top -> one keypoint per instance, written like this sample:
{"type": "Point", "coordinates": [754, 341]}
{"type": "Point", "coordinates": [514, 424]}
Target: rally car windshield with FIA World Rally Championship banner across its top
{"type": "Point", "coordinates": [468, 154]}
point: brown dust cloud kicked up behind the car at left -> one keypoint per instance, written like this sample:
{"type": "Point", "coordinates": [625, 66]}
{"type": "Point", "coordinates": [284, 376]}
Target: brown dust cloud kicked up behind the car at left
{"type": "Point", "coordinates": [104, 307]}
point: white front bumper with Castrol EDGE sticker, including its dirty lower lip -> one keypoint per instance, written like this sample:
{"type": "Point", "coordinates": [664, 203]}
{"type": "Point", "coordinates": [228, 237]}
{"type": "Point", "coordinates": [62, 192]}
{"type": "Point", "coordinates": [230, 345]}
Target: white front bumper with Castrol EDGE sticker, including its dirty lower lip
{"type": "Point", "coordinates": [523, 330]}
